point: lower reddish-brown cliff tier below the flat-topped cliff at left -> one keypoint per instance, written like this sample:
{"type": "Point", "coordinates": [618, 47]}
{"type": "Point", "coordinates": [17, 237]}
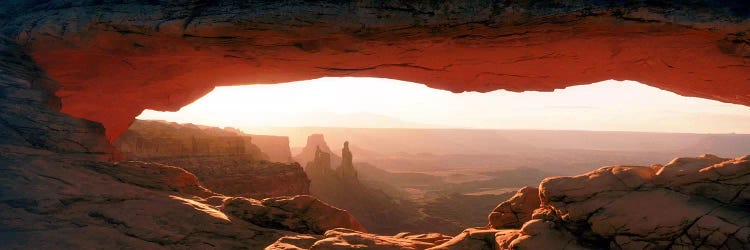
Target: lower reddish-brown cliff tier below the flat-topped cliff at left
{"type": "Point", "coordinates": [244, 176]}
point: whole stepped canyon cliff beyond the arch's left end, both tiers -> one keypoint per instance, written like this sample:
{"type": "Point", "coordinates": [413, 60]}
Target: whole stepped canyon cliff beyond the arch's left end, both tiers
{"type": "Point", "coordinates": [225, 160]}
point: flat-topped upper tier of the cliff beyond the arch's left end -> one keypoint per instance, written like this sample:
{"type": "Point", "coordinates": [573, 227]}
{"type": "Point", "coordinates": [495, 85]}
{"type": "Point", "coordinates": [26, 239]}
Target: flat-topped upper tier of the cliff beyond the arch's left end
{"type": "Point", "coordinates": [160, 139]}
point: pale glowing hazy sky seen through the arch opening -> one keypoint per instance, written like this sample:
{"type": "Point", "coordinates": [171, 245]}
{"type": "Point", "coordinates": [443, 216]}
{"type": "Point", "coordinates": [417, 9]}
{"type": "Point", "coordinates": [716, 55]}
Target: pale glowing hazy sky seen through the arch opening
{"type": "Point", "coordinates": [374, 102]}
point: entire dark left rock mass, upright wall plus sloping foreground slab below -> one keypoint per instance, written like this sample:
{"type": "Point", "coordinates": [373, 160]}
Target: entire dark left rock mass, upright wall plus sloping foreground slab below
{"type": "Point", "coordinates": [56, 192]}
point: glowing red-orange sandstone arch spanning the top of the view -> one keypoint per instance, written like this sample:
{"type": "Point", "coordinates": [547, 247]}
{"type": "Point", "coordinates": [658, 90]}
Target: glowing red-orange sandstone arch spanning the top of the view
{"type": "Point", "coordinates": [158, 55]}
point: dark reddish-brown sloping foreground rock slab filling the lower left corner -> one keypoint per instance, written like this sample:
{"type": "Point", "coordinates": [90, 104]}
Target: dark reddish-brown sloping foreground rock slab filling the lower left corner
{"type": "Point", "coordinates": [53, 202]}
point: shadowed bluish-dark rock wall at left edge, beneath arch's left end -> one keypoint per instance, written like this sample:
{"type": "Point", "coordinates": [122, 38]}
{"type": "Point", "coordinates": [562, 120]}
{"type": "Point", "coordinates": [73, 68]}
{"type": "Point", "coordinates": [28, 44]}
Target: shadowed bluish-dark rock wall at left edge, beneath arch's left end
{"type": "Point", "coordinates": [30, 114]}
